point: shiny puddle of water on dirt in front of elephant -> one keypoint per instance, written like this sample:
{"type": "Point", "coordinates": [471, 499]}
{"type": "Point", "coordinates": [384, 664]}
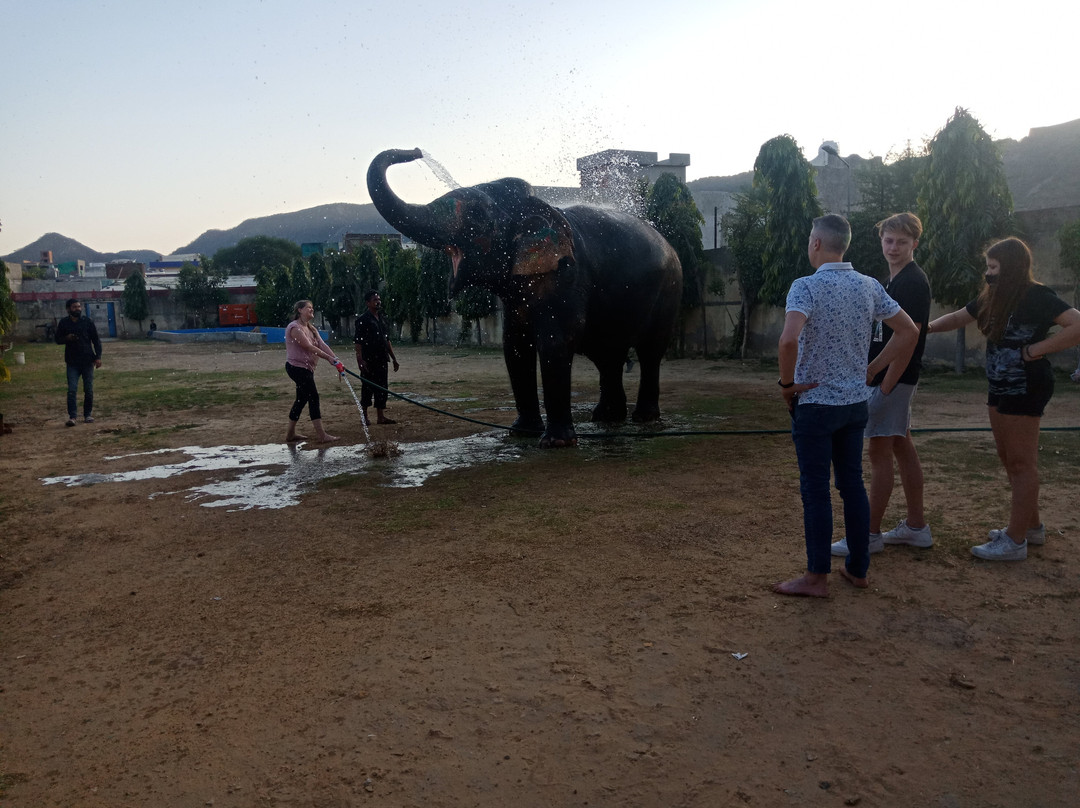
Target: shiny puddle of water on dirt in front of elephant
{"type": "Point", "coordinates": [277, 476]}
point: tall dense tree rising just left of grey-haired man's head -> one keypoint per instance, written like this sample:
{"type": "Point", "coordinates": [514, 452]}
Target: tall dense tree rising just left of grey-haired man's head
{"type": "Point", "coordinates": [791, 209]}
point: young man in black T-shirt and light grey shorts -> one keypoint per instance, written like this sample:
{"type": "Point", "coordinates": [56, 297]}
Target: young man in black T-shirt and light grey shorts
{"type": "Point", "coordinates": [890, 416]}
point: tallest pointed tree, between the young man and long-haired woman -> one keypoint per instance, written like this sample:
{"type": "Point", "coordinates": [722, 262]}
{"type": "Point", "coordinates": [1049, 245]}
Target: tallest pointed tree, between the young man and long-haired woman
{"type": "Point", "coordinates": [964, 204]}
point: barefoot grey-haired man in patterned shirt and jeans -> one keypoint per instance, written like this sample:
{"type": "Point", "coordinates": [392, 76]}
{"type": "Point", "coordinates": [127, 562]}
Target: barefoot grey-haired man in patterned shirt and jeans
{"type": "Point", "coordinates": [825, 374]}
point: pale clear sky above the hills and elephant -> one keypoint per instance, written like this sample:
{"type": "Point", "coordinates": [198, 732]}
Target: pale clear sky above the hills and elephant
{"type": "Point", "coordinates": [139, 125]}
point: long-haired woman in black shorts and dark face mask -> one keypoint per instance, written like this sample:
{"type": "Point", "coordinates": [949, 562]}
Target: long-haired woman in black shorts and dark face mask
{"type": "Point", "coordinates": [1016, 314]}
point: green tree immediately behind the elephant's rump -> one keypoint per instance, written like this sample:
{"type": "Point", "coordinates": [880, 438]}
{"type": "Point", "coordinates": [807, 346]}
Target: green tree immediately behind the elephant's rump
{"type": "Point", "coordinates": [670, 207]}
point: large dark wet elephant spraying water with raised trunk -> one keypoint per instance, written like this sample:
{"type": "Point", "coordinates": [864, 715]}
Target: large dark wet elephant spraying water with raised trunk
{"type": "Point", "coordinates": [578, 280]}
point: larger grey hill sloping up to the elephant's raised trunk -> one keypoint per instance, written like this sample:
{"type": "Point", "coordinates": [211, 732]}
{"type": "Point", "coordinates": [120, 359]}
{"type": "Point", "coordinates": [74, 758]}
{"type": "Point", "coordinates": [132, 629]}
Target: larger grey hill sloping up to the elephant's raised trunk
{"type": "Point", "coordinates": [325, 223]}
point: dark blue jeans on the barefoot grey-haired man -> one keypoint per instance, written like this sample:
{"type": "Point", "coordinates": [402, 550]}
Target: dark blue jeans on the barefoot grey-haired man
{"type": "Point", "coordinates": [833, 437]}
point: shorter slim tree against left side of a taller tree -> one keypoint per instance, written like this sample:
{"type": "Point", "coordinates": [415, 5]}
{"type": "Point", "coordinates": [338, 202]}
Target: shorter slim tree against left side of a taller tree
{"type": "Point", "coordinates": [744, 231]}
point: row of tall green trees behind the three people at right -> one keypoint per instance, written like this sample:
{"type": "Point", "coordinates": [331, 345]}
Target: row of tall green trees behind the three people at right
{"type": "Point", "coordinates": [956, 184]}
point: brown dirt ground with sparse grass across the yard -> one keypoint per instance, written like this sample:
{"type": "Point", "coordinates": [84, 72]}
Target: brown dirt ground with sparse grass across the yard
{"type": "Point", "coordinates": [588, 627]}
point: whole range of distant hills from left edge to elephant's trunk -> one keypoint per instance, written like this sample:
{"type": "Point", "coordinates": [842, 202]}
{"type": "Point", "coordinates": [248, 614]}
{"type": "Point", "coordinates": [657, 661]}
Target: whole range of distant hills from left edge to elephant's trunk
{"type": "Point", "coordinates": [325, 223]}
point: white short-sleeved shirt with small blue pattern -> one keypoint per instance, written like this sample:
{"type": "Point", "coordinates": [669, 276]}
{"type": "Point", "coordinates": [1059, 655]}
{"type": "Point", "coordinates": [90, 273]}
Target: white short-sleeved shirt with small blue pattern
{"type": "Point", "coordinates": [841, 306]}
